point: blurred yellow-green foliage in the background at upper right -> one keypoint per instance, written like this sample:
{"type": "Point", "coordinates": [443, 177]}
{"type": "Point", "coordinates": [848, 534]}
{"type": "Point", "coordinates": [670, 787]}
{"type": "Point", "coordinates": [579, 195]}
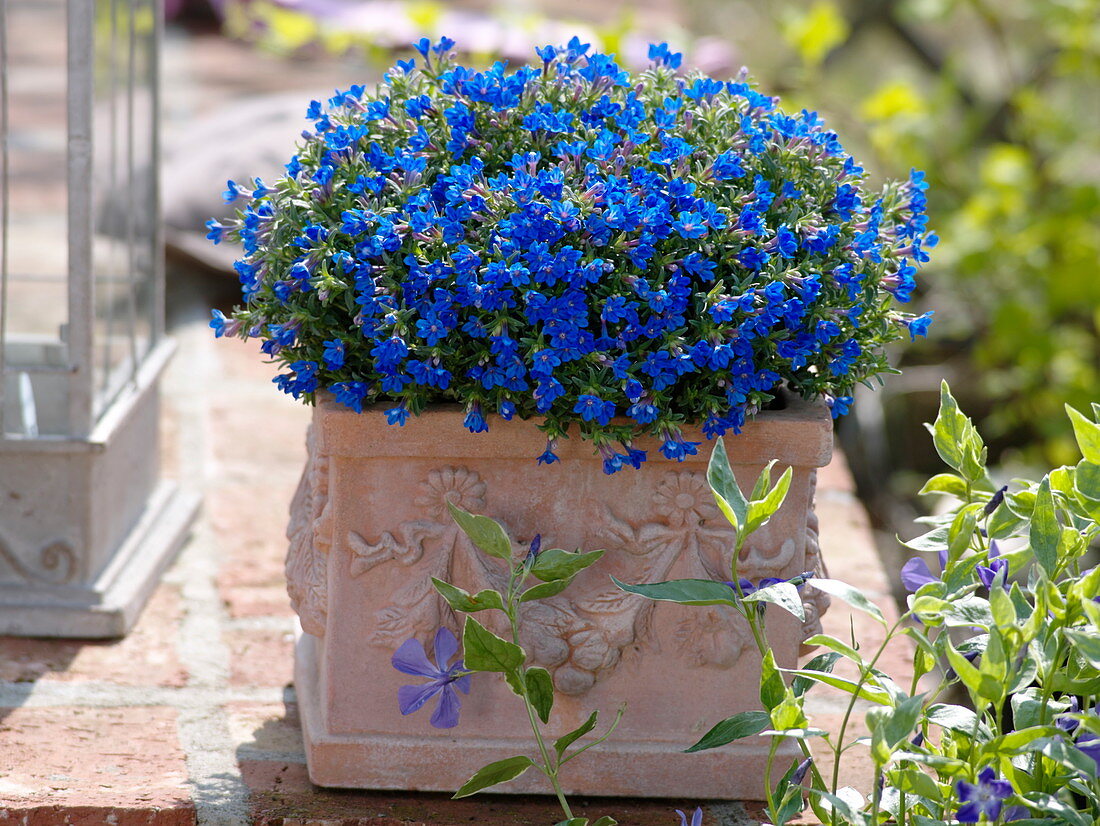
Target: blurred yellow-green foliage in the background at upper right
{"type": "Point", "coordinates": [999, 102]}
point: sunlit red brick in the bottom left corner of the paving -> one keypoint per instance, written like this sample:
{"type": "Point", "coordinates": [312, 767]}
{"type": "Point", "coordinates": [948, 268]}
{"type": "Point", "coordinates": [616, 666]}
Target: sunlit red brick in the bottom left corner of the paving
{"type": "Point", "coordinates": [93, 758]}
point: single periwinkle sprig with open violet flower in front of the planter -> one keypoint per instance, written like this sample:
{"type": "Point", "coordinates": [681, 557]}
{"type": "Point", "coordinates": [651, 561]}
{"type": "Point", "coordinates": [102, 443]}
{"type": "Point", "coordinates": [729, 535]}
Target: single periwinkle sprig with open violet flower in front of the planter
{"type": "Point", "coordinates": [536, 575]}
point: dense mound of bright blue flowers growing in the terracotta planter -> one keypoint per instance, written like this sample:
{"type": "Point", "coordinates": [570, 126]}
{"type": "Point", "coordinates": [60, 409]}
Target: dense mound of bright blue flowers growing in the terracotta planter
{"type": "Point", "coordinates": [611, 254]}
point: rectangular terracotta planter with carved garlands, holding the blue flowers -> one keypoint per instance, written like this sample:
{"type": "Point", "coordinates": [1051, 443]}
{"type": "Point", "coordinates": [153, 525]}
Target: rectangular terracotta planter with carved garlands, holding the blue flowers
{"type": "Point", "coordinates": [369, 527]}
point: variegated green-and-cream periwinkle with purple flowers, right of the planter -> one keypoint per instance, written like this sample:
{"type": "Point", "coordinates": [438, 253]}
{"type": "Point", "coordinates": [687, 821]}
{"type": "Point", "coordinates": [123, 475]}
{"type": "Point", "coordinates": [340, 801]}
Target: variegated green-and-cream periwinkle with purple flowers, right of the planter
{"type": "Point", "coordinates": [1000, 721]}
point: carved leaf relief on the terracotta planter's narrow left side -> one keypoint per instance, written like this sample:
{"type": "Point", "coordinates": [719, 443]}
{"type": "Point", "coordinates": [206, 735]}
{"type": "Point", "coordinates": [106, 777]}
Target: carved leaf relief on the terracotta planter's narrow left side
{"type": "Point", "coordinates": [311, 535]}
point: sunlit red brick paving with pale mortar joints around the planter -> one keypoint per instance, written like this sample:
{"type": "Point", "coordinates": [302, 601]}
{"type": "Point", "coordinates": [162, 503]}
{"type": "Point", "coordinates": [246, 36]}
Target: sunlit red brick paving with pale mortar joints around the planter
{"type": "Point", "coordinates": [192, 719]}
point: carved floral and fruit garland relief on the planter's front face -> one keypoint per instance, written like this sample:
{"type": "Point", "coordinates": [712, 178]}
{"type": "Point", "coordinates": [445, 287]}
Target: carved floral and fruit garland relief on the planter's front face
{"type": "Point", "coordinates": [584, 635]}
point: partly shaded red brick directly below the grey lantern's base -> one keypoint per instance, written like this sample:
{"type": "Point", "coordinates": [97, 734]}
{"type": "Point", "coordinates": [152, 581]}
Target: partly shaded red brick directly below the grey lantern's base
{"type": "Point", "coordinates": [147, 657]}
